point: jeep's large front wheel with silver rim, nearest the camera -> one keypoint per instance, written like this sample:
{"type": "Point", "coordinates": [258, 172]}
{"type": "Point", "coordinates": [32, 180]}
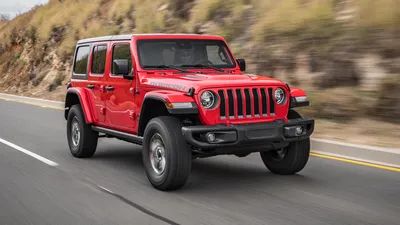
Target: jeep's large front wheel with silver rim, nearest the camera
{"type": "Point", "coordinates": [167, 157]}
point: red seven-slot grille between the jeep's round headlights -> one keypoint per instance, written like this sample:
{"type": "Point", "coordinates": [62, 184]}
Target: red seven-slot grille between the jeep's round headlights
{"type": "Point", "coordinates": [239, 103]}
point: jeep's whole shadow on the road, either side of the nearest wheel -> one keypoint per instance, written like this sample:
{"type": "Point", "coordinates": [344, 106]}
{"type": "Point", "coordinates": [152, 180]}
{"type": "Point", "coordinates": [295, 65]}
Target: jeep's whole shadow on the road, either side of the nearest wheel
{"type": "Point", "coordinates": [220, 172]}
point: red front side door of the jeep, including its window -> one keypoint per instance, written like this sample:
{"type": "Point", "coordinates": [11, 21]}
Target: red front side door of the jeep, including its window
{"type": "Point", "coordinates": [120, 104]}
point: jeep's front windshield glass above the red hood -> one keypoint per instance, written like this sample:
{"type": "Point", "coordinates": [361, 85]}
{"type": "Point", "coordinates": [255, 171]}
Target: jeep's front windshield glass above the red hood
{"type": "Point", "coordinates": [184, 53]}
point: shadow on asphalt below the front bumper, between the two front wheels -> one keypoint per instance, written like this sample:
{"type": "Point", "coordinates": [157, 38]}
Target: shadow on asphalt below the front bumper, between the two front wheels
{"type": "Point", "coordinates": [229, 173]}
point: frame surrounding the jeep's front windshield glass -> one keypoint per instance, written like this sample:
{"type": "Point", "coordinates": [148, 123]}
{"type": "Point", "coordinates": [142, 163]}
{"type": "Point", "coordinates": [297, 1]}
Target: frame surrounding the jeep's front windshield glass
{"type": "Point", "coordinates": [219, 41]}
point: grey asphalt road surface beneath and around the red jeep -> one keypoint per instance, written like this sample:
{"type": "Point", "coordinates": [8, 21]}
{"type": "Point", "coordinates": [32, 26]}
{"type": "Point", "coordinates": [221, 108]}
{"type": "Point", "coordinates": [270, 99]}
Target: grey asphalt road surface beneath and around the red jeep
{"type": "Point", "coordinates": [111, 187]}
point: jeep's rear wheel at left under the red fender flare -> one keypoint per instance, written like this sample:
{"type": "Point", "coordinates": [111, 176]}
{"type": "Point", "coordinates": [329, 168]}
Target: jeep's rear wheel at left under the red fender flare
{"type": "Point", "coordinates": [82, 140]}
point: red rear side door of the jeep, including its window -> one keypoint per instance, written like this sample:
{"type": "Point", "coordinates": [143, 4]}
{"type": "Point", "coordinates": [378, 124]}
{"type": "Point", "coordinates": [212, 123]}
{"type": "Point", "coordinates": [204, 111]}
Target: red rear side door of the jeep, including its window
{"type": "Point", "coordinates": [97, 79]}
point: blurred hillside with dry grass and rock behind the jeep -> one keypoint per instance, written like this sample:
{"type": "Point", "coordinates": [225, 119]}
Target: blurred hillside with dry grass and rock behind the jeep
{"type": "Point", "coordinates": [344, 53]}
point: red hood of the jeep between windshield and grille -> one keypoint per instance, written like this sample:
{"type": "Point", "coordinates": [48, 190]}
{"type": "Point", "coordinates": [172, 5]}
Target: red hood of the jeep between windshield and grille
{"type": "Point", "coordinates": [183, 82]}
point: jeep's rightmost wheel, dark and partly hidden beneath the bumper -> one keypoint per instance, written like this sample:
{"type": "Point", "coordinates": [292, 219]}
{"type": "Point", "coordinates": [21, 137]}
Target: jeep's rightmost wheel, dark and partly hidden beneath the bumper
{"type": "Point", "coordinates": [289, 160]}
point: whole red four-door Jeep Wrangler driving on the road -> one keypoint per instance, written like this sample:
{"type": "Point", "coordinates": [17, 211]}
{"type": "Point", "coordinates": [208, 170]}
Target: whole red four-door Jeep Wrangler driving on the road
{"type": "Point", "coordinates": [181, 97]}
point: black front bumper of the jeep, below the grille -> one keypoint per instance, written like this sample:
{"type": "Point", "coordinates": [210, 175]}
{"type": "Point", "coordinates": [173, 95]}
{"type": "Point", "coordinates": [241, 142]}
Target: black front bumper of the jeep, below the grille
{"type": "Point", "coordinates": [248, 136]}
